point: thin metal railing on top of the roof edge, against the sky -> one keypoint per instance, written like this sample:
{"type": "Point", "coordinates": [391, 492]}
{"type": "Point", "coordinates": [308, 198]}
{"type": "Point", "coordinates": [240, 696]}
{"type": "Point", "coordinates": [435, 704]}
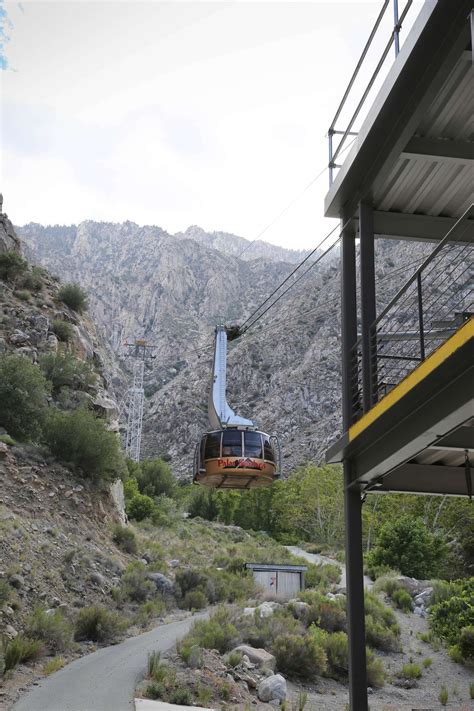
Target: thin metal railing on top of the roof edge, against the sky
{"type": "Point", "coordinates": [334, 152]}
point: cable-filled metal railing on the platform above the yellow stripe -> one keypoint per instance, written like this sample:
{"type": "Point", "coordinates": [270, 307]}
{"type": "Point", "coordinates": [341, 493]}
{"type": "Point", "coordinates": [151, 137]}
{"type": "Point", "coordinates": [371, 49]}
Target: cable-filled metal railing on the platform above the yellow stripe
{"type": "Point", "coordinates": [436, 300]}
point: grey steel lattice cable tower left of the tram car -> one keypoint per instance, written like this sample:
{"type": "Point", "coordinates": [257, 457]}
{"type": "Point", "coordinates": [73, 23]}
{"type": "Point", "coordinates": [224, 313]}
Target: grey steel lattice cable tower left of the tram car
{"type": "Point", "coordinates": [140, 351]}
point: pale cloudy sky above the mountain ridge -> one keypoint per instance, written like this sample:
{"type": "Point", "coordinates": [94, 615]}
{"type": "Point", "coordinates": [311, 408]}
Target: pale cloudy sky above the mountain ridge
{"type": "Point", "coordinates": [178, 113]}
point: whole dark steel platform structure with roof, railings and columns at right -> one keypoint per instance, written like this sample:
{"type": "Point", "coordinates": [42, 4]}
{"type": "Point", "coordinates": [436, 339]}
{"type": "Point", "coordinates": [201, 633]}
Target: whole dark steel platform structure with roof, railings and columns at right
{"type": "Point", "coordinates": [408, 371]}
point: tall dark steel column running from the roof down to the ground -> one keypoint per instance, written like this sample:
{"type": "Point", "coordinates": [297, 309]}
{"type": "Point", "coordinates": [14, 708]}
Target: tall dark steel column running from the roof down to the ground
{"type": "Point", "coordinates": [352, 500]}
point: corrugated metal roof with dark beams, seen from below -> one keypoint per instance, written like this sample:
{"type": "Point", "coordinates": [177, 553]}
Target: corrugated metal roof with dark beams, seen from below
{"type": "Point", "coordinates": [414, 155]}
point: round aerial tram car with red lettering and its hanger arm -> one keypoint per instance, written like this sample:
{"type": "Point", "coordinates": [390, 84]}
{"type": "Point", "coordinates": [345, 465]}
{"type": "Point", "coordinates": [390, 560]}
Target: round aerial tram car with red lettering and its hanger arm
{"type": "Point", "coordinates": [233, 454]}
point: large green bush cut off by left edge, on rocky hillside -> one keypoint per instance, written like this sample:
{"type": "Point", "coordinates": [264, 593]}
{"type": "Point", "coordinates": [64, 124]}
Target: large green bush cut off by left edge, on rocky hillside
{"type": "Point", "coordinates": [23, 391]}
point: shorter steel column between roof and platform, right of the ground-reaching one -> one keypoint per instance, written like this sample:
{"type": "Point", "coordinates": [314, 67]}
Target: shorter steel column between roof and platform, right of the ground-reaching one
{"type": "Point", "coordinates": [367, 298]}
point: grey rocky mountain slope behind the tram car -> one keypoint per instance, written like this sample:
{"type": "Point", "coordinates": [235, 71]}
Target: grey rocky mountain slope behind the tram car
{"type": "Point", "coordinates": [172, 290]}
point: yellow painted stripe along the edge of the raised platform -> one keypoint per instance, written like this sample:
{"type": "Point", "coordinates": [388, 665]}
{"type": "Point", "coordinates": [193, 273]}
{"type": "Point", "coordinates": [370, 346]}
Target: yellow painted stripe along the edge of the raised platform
{"type": "Point", "coordinates": [456, 341]}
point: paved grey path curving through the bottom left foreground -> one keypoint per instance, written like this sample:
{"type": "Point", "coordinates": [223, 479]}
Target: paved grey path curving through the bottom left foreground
{"type": "Point", "coordinates": [104, 680]}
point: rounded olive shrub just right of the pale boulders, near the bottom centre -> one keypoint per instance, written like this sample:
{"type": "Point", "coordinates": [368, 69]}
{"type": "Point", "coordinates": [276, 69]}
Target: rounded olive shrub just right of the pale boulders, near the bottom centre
{"type": "Point", "coordinates": [299, 656]}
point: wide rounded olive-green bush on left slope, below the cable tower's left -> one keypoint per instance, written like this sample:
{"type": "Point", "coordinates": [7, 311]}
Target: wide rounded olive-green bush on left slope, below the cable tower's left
{"type": "Point", "coordinates": [83, 440]}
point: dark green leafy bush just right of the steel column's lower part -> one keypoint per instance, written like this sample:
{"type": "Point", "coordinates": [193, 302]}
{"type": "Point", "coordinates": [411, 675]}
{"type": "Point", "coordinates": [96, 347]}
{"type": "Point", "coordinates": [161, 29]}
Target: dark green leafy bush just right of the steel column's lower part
{"type": "Point", "coordinates": [407, 545]}
